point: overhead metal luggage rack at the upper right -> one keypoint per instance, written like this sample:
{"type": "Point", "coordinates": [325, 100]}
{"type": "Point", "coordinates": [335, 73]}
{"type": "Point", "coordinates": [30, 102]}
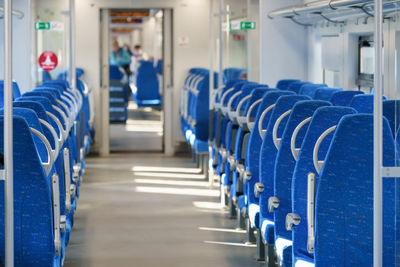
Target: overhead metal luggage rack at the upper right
{"type": "Point", "coordinates": [333, 11]}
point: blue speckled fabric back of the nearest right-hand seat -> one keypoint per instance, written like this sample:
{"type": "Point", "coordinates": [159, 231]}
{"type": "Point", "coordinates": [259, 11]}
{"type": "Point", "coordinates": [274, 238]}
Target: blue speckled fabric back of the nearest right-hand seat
{"type": "Point", "coordinates": [344, 197]}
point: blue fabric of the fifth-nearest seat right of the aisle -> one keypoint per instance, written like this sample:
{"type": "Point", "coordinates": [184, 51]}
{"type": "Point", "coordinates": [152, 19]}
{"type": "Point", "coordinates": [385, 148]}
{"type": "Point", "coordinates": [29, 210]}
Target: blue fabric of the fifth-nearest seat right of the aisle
{"type": "Point", "coordinates": [253, 153]}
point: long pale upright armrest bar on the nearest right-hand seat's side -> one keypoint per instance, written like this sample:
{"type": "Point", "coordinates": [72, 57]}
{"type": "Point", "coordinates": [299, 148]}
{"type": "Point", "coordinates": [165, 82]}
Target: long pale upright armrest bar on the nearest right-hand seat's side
{"type": "Point", "coordinates": [310, 211]}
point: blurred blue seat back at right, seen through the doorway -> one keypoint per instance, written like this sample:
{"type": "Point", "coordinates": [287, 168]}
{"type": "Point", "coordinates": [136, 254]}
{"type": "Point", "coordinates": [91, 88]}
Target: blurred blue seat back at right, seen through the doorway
{"type": "Point", "coordinates": [147, 82]}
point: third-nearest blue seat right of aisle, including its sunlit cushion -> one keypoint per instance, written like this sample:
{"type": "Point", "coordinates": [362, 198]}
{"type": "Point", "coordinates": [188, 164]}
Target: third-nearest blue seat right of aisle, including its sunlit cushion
{"type": "Point", "coordinates": [284, 166]}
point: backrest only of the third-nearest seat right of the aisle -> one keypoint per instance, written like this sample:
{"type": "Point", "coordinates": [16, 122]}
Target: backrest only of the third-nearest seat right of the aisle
{"type": "Point", "coordinates": [285, 163]}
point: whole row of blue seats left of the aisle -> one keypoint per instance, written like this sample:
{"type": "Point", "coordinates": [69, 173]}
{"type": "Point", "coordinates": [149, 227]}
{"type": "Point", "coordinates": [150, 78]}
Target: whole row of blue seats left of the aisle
{"type": "Point", "coordinates": [51, 139]}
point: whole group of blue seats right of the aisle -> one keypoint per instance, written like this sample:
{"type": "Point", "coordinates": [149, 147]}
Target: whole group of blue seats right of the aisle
{"type": "Point", "coordinates": [267, 145]}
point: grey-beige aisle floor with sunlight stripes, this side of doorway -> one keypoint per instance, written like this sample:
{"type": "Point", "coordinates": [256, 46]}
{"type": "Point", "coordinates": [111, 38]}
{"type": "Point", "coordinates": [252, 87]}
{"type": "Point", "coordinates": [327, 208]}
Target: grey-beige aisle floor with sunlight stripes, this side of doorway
{"type": "Point", "coordinates": [147, 209]}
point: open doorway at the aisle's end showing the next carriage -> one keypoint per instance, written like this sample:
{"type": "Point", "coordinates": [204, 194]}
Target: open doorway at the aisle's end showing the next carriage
{"type": "Point", "coordinates": [135, 76]}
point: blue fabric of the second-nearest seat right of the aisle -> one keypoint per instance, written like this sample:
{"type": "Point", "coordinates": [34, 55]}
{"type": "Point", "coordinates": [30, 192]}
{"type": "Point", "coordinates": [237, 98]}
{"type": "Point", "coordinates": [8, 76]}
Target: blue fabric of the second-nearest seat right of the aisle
{"type": "Point", "coordinates": [322, 119]}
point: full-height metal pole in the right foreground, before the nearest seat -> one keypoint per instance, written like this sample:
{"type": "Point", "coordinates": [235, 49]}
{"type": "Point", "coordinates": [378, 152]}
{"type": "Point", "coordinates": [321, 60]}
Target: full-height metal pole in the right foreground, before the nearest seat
{"type": "Point", "coordinates": [378, 127]}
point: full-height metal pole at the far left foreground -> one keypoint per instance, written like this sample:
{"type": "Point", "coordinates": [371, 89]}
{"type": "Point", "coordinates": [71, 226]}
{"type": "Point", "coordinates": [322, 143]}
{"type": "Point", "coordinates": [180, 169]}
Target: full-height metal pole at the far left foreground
{"type": "Point", "coordinates": [8, 137]}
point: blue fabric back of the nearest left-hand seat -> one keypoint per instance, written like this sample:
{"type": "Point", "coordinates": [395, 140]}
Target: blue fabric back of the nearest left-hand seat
{"type": "Point", "coordinates": [33, 234]}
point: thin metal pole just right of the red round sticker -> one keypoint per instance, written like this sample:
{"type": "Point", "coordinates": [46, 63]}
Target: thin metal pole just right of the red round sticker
{"type": "Point", "coordinates": [72, 66]}
